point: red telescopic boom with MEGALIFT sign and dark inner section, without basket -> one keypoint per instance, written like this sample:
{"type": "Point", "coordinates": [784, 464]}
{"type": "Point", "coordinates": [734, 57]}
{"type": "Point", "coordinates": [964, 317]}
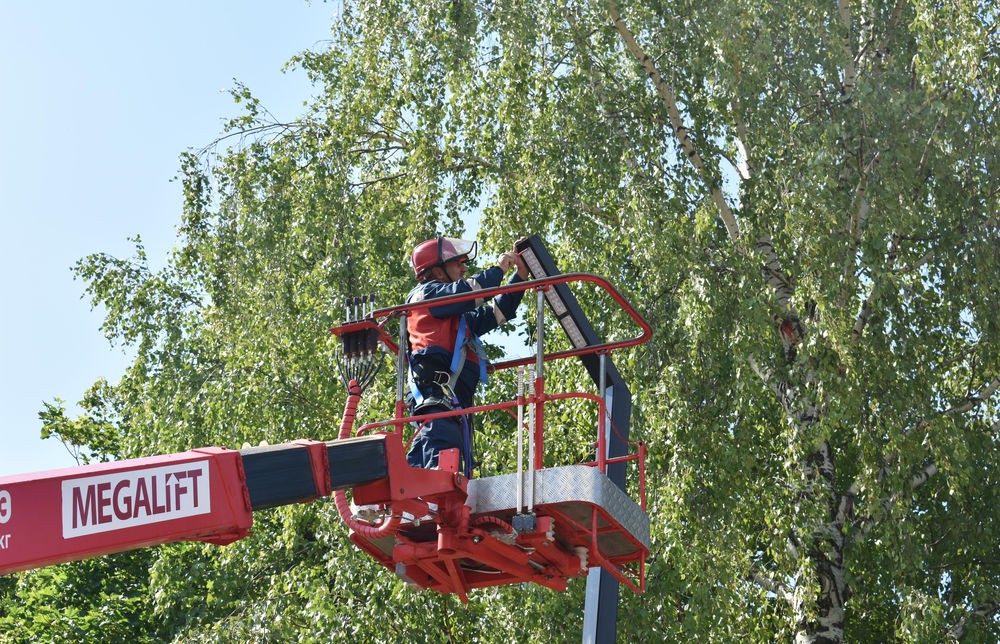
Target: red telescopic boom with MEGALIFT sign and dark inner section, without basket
{"type": "Point", "coordinates": [200, 495]}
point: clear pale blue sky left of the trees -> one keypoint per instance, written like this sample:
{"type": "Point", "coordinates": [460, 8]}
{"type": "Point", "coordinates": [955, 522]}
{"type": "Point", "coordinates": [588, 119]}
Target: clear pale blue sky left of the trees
{"type": "Point", "coordinates": [97, 100]}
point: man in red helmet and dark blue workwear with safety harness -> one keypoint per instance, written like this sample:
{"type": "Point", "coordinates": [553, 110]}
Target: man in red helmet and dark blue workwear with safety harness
{"type": "Point", "coordinates": [446, 359]}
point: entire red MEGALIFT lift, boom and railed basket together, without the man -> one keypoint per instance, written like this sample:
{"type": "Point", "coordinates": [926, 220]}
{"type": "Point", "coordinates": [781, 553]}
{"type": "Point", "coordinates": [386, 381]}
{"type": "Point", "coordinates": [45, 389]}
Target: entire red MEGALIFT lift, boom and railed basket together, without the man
{"type": "Point", "coordinates": [434, 528]}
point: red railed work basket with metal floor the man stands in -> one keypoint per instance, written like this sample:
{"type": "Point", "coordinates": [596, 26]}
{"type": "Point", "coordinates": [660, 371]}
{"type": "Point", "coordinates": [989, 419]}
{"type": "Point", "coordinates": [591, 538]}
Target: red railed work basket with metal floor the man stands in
{"type": "Point", "coordinates": [542, 525]}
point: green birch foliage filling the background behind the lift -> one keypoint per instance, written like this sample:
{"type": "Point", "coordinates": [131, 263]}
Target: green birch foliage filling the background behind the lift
{"type": "Point", "coordinates": [863, 440]}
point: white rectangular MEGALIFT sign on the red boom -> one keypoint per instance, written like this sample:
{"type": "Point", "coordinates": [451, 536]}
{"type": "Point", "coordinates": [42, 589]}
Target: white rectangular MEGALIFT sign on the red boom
{"type": "Point", "coordinates": [137, 497]}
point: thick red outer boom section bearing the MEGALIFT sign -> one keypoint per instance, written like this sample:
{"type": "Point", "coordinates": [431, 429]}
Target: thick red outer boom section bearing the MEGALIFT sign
{"type": "Point", "coordinates": [69, 514]}
